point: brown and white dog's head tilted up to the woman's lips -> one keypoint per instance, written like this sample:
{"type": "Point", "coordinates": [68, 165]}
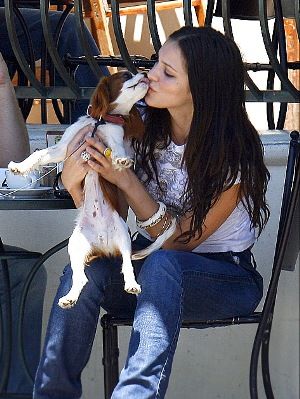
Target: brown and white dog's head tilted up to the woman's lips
{"type": "Point", "coordinates": [116, 94]}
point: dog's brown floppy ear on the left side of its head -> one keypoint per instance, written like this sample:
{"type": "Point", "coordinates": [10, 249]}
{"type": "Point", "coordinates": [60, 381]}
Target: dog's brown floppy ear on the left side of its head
{"type": "Point", "coordinates": [100, 99]}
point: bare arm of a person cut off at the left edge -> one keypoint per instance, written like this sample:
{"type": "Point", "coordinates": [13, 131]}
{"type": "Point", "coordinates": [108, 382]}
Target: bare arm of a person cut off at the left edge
{"type": "Point", "coordinates": [14, 141]}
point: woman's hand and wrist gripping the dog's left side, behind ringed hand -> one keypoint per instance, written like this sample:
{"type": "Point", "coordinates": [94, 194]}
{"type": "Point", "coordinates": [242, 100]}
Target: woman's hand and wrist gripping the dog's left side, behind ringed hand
{"type": "Point", "coordinates": [75, 168]}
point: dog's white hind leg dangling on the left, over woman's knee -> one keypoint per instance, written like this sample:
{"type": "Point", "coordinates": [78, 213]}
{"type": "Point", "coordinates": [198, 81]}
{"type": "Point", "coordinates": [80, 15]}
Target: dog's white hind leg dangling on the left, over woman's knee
{"type": "Point", "coordinates": [78, 249]}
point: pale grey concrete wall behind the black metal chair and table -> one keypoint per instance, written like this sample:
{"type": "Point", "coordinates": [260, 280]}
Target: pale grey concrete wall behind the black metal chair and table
{"type": "Point", "coordinates": [209, 364]}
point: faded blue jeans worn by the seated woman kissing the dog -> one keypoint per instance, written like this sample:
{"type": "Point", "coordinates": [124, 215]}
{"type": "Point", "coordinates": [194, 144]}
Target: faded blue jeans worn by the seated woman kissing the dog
{"type": "Point", "coordinates": [176, 286]}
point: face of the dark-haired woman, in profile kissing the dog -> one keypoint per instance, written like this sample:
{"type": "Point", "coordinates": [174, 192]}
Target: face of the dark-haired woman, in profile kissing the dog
{"type": "Point", "coordinates": [169, 86]}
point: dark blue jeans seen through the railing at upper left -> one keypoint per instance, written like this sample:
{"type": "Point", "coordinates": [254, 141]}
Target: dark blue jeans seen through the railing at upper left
{"type": "Point", "coordinates": [69, 43]}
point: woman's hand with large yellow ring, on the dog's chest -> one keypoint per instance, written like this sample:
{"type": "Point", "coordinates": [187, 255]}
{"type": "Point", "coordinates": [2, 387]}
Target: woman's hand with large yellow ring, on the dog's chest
{"type": "Point", "coordinates": [102, 165]}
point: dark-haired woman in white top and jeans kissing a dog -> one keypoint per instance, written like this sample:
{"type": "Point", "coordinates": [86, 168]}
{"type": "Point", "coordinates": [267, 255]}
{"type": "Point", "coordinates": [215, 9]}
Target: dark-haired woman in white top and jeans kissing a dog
{"type": "Point", "coordinates": [201, 157]}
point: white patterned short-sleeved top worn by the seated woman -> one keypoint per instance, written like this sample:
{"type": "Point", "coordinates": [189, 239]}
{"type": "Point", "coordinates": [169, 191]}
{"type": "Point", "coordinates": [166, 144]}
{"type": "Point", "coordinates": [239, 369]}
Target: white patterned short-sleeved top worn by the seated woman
{"type": "Point", "coordinates": [235, 234]}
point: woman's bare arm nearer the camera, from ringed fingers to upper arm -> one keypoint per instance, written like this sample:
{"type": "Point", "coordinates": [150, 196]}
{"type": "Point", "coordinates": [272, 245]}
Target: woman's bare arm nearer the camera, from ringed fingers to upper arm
{"type": "Point", "coordinates": [144, 206]}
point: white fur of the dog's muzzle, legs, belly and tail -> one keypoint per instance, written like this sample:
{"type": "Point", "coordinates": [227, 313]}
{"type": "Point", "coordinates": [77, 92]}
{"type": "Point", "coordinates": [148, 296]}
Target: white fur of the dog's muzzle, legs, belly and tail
{"type": "Point", "coordinates": [99, 230]}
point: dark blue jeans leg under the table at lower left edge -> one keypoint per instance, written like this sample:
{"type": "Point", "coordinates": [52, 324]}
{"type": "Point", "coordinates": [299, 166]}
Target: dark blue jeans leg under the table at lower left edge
{"type": "Point", "coordinates": [32, 323]}
